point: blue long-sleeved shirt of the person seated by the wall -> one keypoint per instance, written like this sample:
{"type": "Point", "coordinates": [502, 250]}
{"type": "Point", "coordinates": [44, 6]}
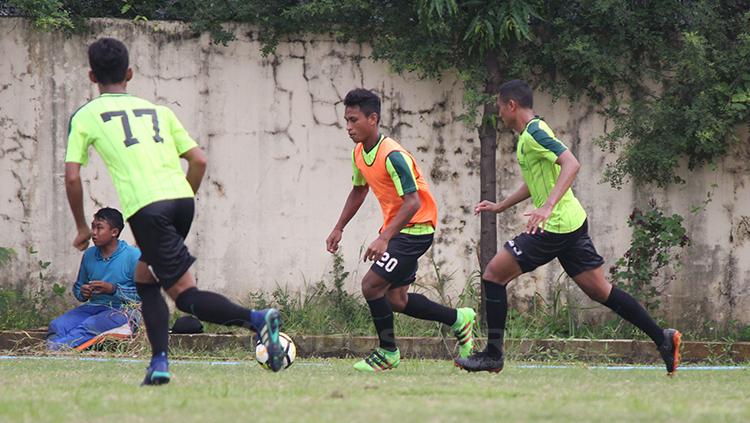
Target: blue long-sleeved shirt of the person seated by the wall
{"type": "Point", "coordinates": [117, 269]}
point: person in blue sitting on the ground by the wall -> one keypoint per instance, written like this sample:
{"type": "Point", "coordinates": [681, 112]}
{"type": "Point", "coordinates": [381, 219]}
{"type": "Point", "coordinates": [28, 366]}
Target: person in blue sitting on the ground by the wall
{"type": "Point", "coordinates": [105, 283]}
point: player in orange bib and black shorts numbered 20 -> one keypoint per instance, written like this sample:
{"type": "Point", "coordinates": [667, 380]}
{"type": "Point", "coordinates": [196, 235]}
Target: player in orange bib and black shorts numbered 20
{"type": "Point", "coordinates": [410, 217]}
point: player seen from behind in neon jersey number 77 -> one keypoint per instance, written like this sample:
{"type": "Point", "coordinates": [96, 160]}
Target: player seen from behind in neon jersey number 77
{"type": "Point", "coordinates": [141, 144]}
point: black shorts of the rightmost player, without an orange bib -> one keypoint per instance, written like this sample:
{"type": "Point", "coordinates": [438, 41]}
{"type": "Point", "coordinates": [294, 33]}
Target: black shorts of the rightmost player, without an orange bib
{"type": "Point", "coordinates": [574, 250]}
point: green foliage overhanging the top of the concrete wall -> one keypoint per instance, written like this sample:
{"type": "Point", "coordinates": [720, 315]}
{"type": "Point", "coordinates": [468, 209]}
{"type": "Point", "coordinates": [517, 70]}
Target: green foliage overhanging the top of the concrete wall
{"type": "Point", "coordinates": [673, 76]}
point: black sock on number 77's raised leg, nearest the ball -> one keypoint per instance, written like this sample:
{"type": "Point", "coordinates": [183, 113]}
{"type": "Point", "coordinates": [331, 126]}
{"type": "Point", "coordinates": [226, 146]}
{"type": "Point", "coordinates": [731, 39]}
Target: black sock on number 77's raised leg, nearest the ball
{"type": "Point", "coordinates": [212, 307]}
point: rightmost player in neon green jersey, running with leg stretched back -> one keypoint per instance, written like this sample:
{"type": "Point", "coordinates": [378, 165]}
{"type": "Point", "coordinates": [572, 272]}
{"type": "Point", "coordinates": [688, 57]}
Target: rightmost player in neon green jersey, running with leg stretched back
{"type": "Point", "coordinates": [557, 228]}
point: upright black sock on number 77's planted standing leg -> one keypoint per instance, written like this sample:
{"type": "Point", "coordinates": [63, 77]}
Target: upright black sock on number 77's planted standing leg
{"type": "Point", "coordinates": [155, 316]}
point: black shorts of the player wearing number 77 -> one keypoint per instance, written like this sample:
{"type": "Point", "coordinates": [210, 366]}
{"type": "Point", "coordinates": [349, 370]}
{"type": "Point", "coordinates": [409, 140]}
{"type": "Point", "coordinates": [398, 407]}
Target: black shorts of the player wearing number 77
{"type": "Point", "coordinates": [160, 229]}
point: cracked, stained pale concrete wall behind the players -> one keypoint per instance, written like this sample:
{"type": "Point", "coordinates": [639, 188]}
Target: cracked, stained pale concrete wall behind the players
{"type": "Point", "coordinates": [279, 167]}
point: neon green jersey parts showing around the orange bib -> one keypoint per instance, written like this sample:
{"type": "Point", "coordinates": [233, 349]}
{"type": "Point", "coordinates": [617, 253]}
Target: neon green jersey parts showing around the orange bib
{"type": "Point", "coordinates": [399, 167]}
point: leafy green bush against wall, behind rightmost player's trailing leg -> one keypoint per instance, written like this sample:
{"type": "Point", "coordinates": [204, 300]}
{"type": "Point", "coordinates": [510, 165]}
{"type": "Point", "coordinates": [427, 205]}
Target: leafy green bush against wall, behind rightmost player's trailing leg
{"type": "Point", "coordinates": [657, 240]}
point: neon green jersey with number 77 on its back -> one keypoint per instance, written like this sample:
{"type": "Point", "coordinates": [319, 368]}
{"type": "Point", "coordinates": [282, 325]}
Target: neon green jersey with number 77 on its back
{"type": "Point", "coordinates": [140, 143]}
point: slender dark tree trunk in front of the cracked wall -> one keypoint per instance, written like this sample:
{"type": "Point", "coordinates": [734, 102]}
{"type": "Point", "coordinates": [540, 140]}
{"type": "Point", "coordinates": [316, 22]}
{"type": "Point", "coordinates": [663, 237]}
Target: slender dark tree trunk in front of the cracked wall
{"type": "Point", "coordinates": [487, 175]}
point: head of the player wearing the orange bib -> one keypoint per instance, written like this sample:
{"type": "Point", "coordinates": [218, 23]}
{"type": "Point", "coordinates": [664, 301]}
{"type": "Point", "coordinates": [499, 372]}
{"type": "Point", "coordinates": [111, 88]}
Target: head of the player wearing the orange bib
{"type": "Point", "coordinates": [362, 114]}
